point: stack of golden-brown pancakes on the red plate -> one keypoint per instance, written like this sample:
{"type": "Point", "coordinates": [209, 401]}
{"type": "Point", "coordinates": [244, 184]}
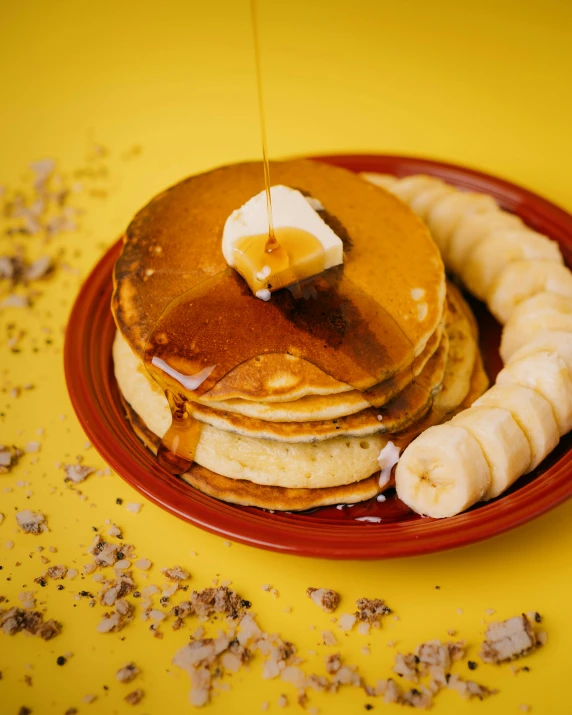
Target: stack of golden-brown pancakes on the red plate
{"type": "Point", "coordinates": [277, 429]}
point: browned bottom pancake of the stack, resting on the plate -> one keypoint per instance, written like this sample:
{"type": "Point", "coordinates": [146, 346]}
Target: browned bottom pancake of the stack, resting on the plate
{"type": "Point", "coordinates": [245, 493]}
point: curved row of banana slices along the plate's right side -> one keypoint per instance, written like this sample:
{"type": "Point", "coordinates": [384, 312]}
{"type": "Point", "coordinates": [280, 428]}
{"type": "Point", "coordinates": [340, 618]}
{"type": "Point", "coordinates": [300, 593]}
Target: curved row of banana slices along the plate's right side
{"type": "Point", "coordinates": [510, 429]}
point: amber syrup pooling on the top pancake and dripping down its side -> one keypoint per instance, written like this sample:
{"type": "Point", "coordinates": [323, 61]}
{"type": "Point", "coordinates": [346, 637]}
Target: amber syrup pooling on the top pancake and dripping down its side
{"type": "Point", "coordinates": [220, 324]}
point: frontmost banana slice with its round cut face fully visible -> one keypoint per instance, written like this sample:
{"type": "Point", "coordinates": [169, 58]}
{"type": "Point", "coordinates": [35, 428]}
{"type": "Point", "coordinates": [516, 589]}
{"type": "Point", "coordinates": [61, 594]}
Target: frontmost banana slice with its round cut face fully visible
{"type": "Point", "coordinates": [442, 472]}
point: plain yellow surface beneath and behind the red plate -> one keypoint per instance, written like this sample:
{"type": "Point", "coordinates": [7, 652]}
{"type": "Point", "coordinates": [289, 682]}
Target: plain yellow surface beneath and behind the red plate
{"type": "Point", "coordinates": [485, 84]}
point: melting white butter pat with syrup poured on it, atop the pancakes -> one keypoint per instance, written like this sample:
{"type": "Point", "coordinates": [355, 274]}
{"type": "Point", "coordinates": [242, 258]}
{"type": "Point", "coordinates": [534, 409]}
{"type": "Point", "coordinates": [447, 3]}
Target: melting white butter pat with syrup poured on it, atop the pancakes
{"type": "Point", "coordinates": [306, 245]}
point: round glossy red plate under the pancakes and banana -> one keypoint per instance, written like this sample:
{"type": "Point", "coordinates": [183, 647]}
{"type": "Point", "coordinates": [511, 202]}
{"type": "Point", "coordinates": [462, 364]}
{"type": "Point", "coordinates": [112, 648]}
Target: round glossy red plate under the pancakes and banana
{"type": "Point", "coordinates": [328, 532]}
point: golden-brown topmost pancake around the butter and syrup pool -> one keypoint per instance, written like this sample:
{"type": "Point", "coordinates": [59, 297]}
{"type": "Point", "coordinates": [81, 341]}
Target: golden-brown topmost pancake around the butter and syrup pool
{"type": "Point", "coordinates": [174, 244]}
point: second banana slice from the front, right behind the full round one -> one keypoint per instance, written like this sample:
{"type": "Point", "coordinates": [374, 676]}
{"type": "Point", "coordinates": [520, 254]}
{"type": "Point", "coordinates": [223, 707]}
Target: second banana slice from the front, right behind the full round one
{"type": "Point", "coordinates": [504, 445]}
